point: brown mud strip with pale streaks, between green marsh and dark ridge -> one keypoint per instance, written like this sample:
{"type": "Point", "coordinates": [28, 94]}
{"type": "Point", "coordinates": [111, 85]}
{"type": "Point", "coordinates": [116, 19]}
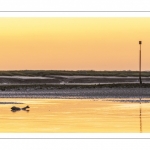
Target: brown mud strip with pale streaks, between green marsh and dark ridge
{"type": "Point", "coordinates": [74, 79]}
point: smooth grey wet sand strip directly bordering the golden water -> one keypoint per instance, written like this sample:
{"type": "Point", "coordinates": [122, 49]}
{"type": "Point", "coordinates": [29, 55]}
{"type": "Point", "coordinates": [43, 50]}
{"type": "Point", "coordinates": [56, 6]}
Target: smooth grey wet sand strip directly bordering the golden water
{"type": "Point", "coordinates": [78, 93]}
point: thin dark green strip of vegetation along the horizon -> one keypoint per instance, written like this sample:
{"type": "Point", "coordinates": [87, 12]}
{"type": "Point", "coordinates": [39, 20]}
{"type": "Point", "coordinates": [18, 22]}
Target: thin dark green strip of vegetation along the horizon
{"type": "Point", "coordinates": [46, 73]}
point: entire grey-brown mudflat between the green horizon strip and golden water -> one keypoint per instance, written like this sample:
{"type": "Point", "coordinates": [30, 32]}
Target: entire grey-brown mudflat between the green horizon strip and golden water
{"type": "Point", "coordinates": [73, 86]}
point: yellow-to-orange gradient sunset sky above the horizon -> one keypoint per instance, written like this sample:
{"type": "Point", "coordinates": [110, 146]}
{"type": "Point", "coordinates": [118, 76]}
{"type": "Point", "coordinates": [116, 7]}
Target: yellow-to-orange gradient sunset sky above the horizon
{"type": "Point", "coordinates": [74, 43]}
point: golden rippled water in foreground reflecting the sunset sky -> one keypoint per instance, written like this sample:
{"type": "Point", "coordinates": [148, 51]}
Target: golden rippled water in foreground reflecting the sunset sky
{"type": "Point", "coordinates": [75, 115]}
